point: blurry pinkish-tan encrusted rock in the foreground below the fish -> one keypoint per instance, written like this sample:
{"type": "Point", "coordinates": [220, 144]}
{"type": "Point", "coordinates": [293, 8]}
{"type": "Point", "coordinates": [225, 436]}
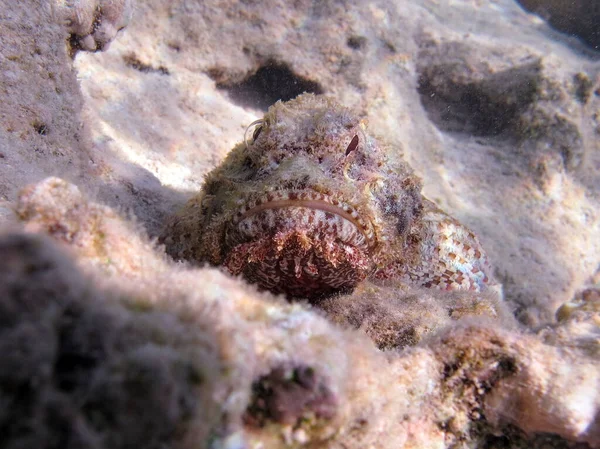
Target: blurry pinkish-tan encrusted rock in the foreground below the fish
{"type": "Point", "coordinates": [145, 352]}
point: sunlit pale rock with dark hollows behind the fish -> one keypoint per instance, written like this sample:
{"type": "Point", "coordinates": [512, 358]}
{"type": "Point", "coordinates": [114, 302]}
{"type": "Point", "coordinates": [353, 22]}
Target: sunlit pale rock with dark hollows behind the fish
{"type": "Point", "coordinates": [196, 73]}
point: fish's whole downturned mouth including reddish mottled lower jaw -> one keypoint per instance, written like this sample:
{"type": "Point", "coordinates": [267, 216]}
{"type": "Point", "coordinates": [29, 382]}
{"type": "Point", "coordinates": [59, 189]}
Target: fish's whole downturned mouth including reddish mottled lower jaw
{"type": "Point", "coordinates": [300, 243]}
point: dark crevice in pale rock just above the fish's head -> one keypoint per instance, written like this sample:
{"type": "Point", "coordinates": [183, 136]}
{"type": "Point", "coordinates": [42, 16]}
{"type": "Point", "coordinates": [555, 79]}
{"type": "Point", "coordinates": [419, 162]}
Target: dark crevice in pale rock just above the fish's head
{"type": "Point", "coordinates": [272, 81]}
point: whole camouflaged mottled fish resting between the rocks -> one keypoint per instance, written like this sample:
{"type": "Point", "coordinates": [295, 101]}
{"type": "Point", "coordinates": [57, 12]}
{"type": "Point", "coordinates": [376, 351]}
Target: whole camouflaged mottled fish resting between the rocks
{"type": "Point", "coordinates": [311, 205]}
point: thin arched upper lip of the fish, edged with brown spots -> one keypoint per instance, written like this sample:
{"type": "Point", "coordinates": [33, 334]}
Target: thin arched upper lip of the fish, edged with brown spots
{"type": "Point", "coordinates": [280, 199]}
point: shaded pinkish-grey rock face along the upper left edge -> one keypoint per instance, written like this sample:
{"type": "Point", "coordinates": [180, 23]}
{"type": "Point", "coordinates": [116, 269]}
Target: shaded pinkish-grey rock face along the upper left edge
{"type": "Point", "coordinates": [41, 128]}
